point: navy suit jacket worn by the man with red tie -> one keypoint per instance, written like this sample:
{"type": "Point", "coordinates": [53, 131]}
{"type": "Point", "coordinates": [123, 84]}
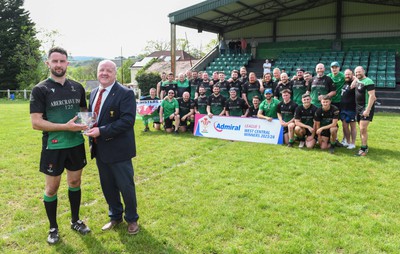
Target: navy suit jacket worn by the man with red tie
{"type": "Point", "coordinates": [116, 121]}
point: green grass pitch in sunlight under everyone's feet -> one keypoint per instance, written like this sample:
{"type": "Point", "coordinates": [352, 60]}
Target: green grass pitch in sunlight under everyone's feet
{"type": "Point", "coordinates": [199, 195]}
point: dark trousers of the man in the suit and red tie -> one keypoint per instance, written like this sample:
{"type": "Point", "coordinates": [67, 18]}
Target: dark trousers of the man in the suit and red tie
{"type": "Point", "coordinates": [117, 178]}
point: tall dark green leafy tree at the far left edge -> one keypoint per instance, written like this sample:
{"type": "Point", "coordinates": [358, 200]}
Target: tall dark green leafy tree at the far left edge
{"type": "Point", "coordinates": [20, 58]}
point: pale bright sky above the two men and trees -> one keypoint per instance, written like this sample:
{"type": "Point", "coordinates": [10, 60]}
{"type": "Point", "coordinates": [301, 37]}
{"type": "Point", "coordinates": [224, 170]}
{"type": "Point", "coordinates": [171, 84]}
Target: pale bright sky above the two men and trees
{"type": "Point", "coordinates": [107, 28]}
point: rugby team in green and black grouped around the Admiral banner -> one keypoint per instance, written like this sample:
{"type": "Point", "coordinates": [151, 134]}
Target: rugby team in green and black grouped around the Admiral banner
{"type": "Point", "coordinates": [308, 107]}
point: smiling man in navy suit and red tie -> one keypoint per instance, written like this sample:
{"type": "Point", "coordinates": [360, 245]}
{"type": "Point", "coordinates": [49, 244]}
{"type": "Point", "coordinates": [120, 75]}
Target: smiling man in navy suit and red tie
{"type": "Point", "coordinates": [113, 145]}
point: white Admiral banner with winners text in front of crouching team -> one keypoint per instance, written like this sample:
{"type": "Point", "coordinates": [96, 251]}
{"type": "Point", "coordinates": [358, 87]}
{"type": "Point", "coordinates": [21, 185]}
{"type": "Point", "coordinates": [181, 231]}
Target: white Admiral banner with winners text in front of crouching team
{"type": "Point", "coordinates": [238, 128]}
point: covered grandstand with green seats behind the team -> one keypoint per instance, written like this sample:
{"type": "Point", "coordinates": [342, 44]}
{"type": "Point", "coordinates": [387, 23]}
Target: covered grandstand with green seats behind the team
{"type": "Point", "coordinates": [302, 33]}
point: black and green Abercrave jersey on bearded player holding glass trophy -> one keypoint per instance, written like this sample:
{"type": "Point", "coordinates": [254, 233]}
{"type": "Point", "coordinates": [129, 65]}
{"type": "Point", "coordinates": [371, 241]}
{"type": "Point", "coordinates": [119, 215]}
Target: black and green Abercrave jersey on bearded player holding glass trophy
{"type": "Point", "coordinates": [58, 104]}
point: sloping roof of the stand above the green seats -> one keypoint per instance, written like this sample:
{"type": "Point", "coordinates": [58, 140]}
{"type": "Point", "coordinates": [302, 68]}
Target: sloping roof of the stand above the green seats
{"type": "Point", "coordinates": [221, 16]}
